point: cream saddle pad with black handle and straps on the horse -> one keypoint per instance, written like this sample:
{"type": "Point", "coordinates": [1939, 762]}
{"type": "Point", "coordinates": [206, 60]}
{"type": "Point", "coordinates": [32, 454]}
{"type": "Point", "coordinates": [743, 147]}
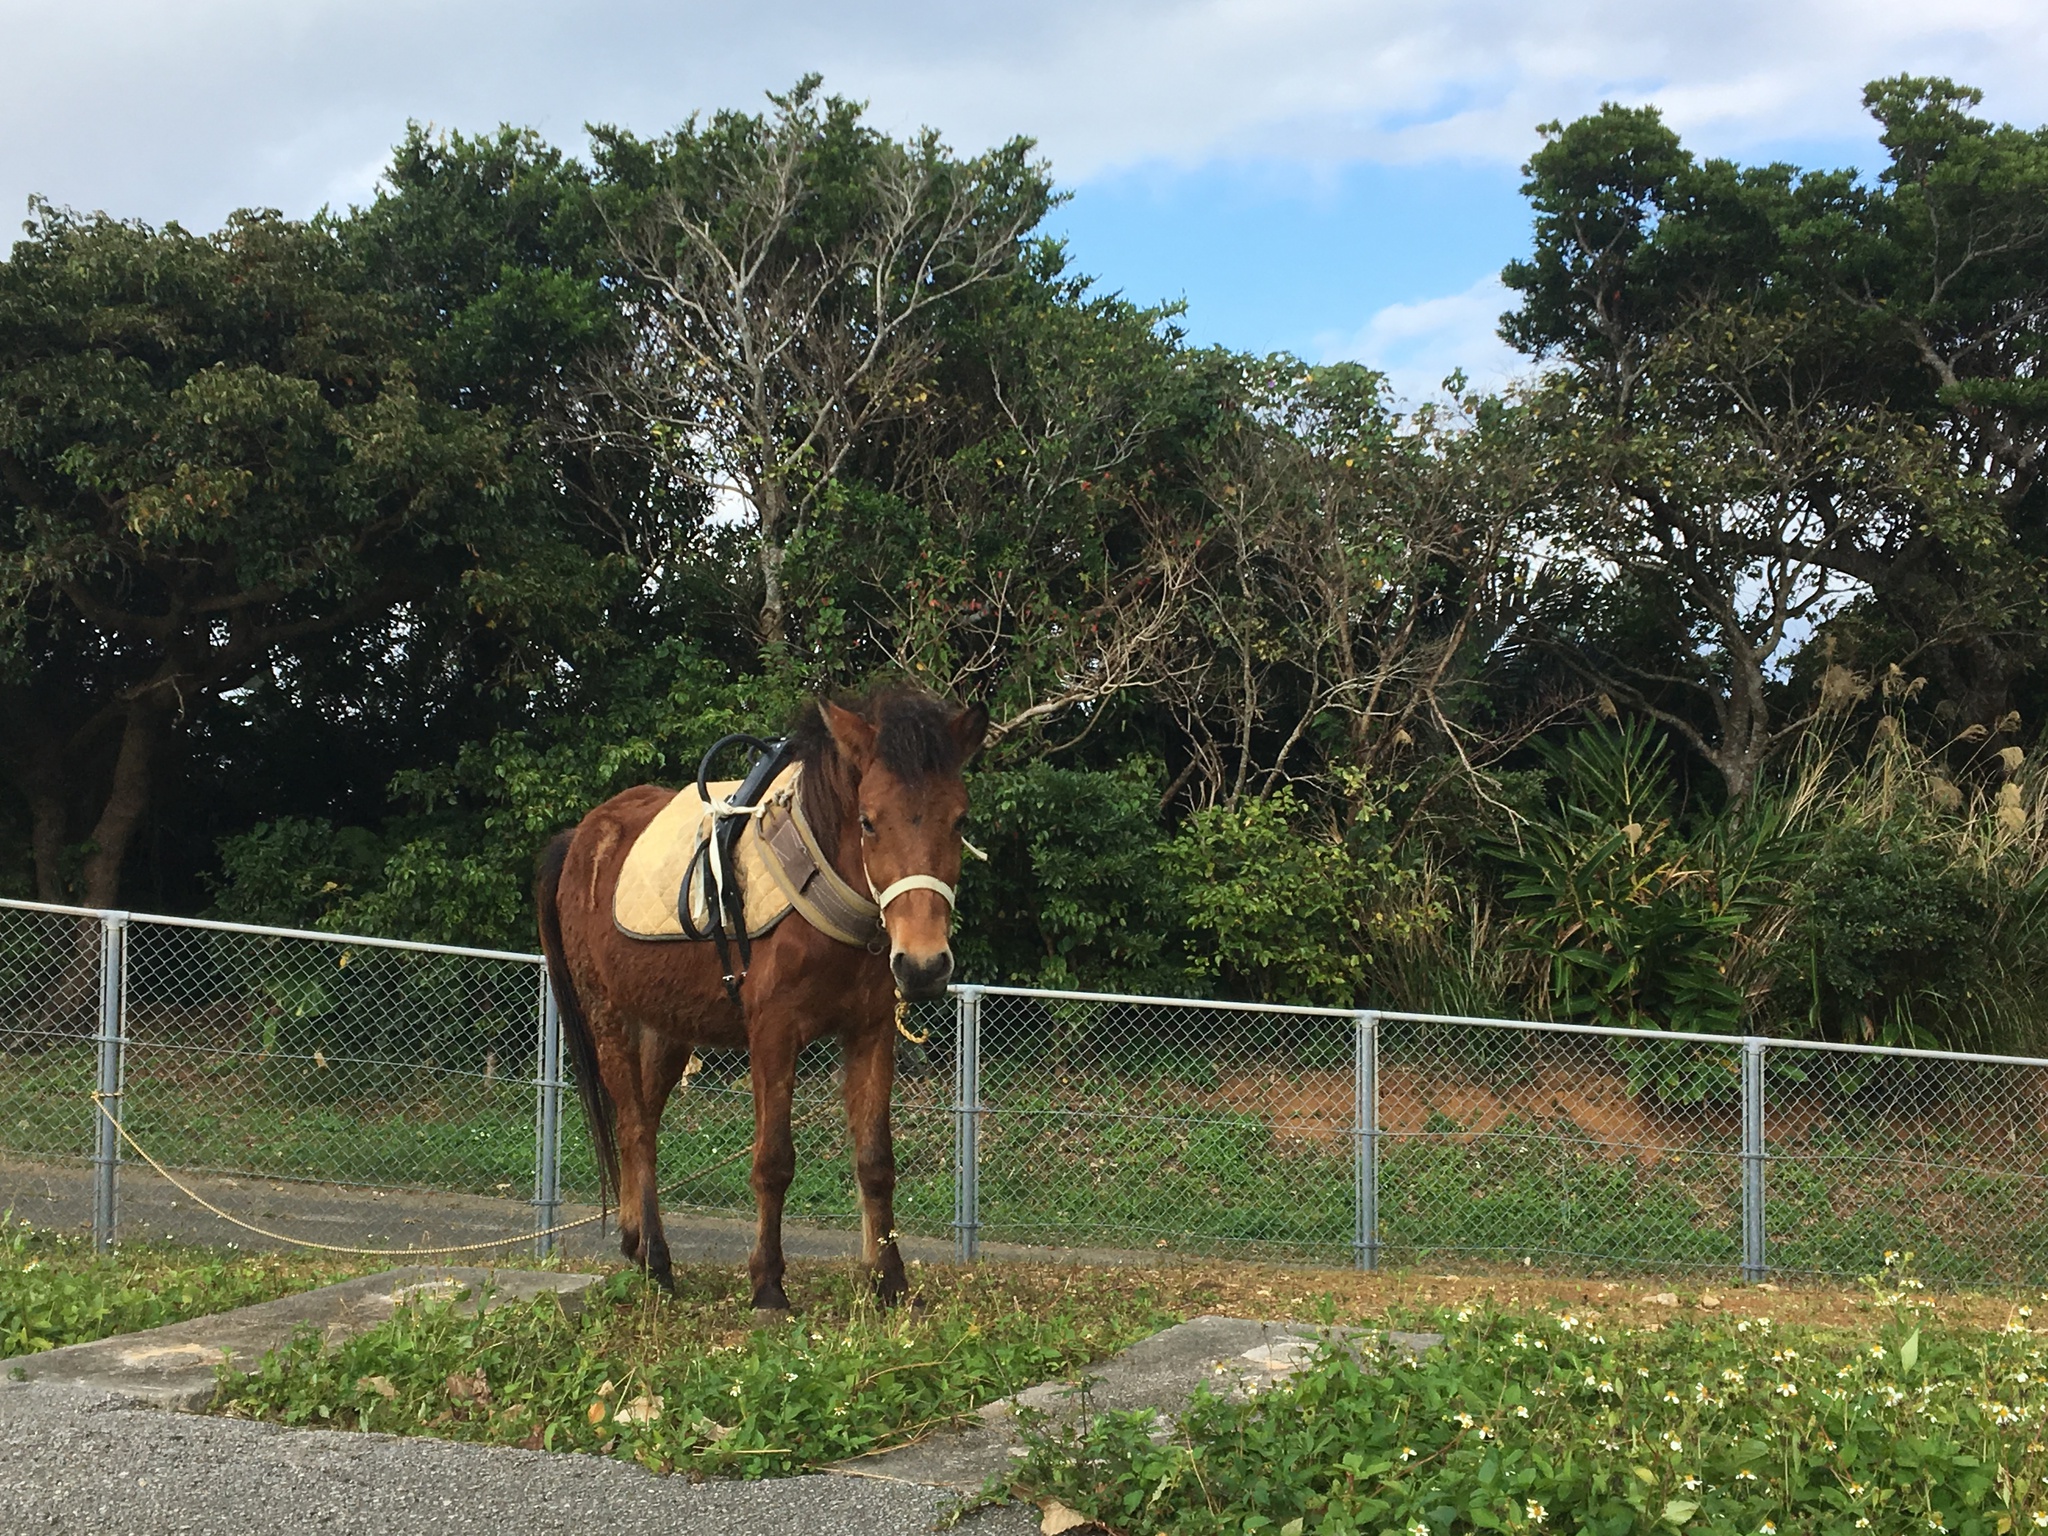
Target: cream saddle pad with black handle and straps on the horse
{"type": "Point", "coordinates": [728, 861]}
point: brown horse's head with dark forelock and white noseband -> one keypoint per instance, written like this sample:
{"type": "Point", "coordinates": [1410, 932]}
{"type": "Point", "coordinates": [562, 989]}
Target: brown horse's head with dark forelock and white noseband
{"type": "Point", "coordinates": [904, 759]}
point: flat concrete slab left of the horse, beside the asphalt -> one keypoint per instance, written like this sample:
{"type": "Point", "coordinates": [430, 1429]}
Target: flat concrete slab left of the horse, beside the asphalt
{"type": "Point", "coordinates": [177, 1367]}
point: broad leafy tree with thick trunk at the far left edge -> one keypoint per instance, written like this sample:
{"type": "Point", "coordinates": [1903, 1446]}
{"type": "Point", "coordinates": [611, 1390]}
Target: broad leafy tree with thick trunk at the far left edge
{"type": "Point", "coordinates": [216, 454]}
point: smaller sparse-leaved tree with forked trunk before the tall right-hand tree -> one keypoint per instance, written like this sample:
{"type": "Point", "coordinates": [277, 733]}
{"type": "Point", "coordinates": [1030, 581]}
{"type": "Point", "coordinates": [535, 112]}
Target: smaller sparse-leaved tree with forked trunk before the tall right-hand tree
{"type": "Point", "coordinates": [1705, 513]}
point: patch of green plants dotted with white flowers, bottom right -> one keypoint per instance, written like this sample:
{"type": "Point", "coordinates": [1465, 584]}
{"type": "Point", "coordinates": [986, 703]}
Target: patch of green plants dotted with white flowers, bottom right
{"type": "Point", "coordinates": [1549, 1422]}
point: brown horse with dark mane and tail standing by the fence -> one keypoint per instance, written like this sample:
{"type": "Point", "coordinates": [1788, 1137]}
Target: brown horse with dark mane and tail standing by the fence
{"type": "Point", "coordinates": [882, 790]}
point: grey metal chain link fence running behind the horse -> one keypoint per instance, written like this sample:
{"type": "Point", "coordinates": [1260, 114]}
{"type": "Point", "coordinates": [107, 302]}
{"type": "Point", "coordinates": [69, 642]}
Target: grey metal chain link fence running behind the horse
{"type": "Point", "coordinates": [1041, 1119]}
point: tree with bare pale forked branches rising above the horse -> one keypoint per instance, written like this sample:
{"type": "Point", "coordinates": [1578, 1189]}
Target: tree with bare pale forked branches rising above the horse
{"type": "Point", "coordinates": [790, 273]}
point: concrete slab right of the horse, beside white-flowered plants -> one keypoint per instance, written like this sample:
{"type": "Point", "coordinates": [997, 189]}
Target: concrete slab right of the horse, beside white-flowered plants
{"type": "Point", "coordinates": [1232, 1355]}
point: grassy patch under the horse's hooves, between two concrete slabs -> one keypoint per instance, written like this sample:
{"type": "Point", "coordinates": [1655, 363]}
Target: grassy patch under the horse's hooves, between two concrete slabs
{"type": "Point", "coordinates": [689, 1385]}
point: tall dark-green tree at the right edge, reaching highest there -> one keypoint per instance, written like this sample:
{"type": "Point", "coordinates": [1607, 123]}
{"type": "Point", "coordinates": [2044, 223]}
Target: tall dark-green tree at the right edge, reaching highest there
{"type": "Point", "coordinates": [1912, 306]}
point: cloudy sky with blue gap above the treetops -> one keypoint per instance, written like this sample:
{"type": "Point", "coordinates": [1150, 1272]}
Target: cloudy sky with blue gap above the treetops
{"type": "Point", "coordinates": [1328, 177]}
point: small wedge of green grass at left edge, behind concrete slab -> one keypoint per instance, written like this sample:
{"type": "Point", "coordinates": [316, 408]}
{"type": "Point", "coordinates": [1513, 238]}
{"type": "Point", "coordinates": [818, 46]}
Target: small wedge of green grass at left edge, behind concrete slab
{"type": "Point", "coordinates": [54, 1289]}
